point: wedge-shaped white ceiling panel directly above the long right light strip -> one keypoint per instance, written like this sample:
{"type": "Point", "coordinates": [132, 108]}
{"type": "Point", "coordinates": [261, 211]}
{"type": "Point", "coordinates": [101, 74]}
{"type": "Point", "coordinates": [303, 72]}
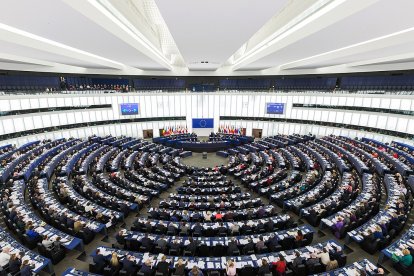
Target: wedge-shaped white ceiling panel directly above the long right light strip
{"type": "Point", "coordinates": [382, 18]}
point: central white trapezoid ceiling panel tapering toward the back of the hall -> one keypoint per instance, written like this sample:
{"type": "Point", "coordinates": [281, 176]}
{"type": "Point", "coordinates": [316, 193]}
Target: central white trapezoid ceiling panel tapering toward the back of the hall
{"type": "Point", "coordinates": [213, 30]}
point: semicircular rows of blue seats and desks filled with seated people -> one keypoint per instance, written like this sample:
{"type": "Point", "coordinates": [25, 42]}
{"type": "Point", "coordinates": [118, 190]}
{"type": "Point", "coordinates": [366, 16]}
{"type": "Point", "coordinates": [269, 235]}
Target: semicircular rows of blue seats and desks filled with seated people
{"type": "Point", "coordinates": [143, 199]}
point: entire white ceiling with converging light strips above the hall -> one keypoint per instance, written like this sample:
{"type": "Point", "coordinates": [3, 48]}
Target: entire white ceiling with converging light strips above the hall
{"type": "Point", "coordinates": [208, 38]}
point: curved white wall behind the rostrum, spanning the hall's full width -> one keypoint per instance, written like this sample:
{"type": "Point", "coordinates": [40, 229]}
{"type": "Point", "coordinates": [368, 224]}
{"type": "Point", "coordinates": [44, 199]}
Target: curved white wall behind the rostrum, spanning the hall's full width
{"type": "Point", "coordinates": [238, 109]}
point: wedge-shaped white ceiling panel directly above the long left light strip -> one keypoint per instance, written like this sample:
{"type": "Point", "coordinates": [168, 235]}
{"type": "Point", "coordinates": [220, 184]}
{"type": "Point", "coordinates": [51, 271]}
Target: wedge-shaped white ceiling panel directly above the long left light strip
{"type": "Point", "coordinates": [54, 20]}
